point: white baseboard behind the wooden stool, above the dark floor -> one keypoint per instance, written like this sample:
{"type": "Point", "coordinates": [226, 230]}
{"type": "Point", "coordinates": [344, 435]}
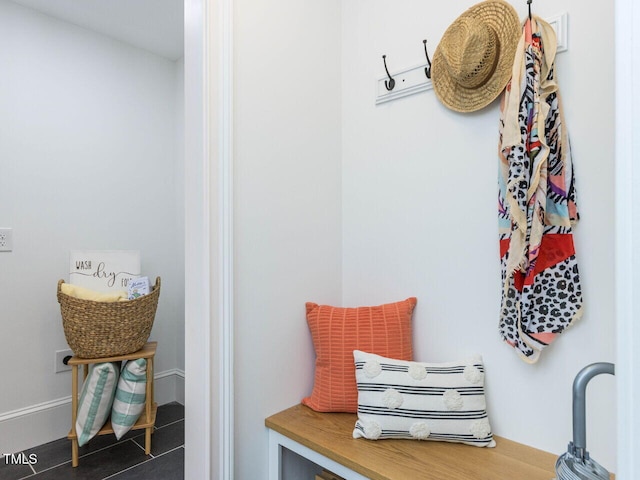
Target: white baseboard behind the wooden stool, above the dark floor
{"type": "Point", "coordinates": [34, 425]}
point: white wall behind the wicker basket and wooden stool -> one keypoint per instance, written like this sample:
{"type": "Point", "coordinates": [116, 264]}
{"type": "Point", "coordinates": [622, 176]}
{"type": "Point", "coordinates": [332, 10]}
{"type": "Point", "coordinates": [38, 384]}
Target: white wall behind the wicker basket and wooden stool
{"type": "Point", "coordinates": [88, 160]}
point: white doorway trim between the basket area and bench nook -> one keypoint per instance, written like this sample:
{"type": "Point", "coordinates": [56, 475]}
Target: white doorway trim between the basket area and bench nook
{"type": "Point", "coordinates": [208, 240]}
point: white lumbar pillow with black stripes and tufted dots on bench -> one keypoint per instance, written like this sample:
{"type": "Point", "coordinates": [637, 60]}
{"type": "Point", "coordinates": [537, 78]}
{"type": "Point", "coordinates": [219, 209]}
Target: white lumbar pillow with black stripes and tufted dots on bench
{"type": "Point", "coordinates": [423, 401]}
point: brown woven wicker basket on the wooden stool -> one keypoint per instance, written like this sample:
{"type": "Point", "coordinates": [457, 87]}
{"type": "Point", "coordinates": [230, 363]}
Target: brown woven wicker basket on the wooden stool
{"type": "Point", "coordinates": [105, 329]}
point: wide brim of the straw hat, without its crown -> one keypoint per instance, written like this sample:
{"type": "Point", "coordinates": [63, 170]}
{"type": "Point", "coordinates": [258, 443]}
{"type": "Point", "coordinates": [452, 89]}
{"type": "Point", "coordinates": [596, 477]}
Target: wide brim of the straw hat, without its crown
{"type": "Point", "coordinates": [503, 19]}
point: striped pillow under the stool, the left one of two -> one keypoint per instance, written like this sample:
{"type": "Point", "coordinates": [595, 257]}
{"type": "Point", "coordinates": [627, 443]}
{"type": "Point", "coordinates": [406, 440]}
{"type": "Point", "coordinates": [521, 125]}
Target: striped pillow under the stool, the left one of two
{"type": "Point", "coordinates": [95, 400]}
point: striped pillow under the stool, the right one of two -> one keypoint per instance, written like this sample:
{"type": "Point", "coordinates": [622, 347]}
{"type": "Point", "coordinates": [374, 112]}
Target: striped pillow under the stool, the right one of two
{"type": "Point", "coordinates": [130, 396]}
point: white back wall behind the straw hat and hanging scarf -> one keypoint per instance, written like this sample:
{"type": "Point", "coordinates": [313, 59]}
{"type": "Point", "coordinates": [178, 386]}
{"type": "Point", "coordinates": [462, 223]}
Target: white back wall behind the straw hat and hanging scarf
{"type": "Point", "coordinates": [419, 213]}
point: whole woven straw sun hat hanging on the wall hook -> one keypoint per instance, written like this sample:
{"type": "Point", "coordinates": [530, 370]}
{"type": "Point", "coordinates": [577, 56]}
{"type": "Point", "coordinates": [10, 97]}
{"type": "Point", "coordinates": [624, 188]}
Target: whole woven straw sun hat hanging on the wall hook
{"type": "Point", "coordinates": [473, 61]}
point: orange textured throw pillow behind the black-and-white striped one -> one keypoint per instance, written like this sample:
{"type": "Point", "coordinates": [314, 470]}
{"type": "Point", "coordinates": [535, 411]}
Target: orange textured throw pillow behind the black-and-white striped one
{"type": "Point", "coordinates": [336, 332]}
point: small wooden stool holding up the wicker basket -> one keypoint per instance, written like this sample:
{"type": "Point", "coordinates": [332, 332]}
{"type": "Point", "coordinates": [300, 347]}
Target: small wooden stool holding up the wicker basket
{"type": "Point", "coordinates": [148, 418]}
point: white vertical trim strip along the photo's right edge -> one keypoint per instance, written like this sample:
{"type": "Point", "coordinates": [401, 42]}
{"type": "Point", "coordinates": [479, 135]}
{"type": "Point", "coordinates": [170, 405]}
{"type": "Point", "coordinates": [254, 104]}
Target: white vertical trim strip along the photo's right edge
{"type": "Point", "coordinates": [627, 191]}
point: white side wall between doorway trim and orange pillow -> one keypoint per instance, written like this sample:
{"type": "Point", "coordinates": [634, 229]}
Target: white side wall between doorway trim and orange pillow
{"type": "Point", "coordinates": [287, 204]}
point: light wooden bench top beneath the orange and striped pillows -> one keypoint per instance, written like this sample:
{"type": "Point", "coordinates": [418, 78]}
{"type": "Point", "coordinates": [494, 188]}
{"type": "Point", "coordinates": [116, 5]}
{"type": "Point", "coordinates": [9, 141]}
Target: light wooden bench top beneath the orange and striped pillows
{"type": "Point", "coordinates": [330, 434]}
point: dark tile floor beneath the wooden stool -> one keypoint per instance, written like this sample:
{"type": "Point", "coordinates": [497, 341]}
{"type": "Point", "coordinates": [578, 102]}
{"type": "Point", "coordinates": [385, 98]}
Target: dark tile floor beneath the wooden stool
{"type": "Point", "coordinates": [104, 457]}
